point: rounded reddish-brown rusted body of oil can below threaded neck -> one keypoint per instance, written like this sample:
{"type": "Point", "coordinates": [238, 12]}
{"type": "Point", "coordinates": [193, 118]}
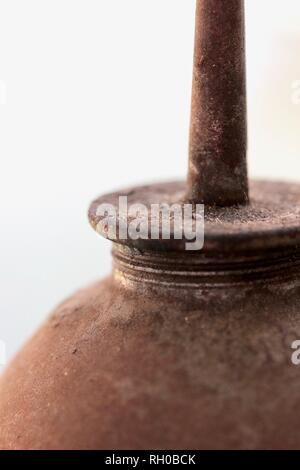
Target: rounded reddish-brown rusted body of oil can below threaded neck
{"type": "Point", "coordinates": [127, 364]}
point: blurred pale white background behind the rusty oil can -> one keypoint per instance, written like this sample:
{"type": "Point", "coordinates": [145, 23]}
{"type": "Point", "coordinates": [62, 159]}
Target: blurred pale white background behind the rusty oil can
{"type": "Point", "coordinates": [94, 96]}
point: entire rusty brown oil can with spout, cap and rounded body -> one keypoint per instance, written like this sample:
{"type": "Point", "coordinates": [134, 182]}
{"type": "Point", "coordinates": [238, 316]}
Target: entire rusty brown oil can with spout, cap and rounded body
{"type": "Point", "coordinates": [179, 350]}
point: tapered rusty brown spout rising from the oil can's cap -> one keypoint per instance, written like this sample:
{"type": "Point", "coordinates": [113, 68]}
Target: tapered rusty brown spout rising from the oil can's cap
{"type": "Point", "coordinates": [218, 132]}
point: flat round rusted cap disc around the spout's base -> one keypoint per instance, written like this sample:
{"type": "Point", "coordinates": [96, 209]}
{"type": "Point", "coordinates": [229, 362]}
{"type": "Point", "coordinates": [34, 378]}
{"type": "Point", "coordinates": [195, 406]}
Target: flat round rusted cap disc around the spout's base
{"type": "Point", "coordinates": [270, 221]}
